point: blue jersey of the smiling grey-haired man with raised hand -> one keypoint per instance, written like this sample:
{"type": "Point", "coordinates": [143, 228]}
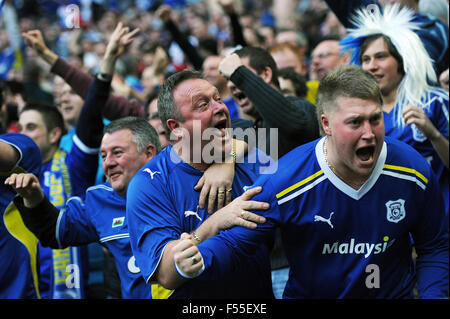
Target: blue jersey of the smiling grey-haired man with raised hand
{"type": "Point", "coordinates": [101, 218]}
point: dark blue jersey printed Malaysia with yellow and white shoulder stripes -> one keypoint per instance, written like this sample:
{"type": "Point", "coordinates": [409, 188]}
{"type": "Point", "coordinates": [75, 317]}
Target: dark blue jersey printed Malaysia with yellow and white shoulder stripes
{"type": "Point", "coordinates": [347, 243]}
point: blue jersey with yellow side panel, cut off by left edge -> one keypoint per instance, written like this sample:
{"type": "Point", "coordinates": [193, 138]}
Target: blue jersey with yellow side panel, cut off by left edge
{"type": "Point", "coordinates": [18, 246]}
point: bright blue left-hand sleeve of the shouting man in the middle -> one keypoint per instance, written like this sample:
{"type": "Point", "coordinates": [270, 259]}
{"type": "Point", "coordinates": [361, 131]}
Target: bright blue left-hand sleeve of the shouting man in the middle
{"type": "Point", "coordinates": [152, 220]}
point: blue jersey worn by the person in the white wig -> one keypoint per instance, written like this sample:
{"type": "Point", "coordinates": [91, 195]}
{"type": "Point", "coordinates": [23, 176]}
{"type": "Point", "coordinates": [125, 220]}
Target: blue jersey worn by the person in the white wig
{"type": "Point", "coordinates": [437, 111]}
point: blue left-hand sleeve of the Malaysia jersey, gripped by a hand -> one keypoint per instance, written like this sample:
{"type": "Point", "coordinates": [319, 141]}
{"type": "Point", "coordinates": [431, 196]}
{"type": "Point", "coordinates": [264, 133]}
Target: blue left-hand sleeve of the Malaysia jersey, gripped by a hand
{"type": "Point", "coordinates": [223, 252]}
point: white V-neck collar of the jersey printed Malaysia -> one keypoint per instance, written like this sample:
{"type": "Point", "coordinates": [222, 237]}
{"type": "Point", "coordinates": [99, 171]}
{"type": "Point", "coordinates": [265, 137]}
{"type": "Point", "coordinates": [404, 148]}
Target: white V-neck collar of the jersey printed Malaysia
{"type": "Point", "coordinates": [341, 185]}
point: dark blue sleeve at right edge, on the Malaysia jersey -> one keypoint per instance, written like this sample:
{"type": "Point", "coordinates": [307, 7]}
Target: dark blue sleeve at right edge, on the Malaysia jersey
{"type": "Point", "coordinates": [432, 245]}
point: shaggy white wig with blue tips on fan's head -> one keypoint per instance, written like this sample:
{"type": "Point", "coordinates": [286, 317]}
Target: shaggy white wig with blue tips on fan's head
{"type": "Point", "coordinates": [397, 25]}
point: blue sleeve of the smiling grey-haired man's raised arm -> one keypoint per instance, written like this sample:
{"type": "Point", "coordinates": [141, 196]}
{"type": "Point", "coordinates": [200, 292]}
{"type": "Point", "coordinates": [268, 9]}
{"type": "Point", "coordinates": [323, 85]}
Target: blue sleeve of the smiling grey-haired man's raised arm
{"type": "Point", "coordinates": [74, 225]}
